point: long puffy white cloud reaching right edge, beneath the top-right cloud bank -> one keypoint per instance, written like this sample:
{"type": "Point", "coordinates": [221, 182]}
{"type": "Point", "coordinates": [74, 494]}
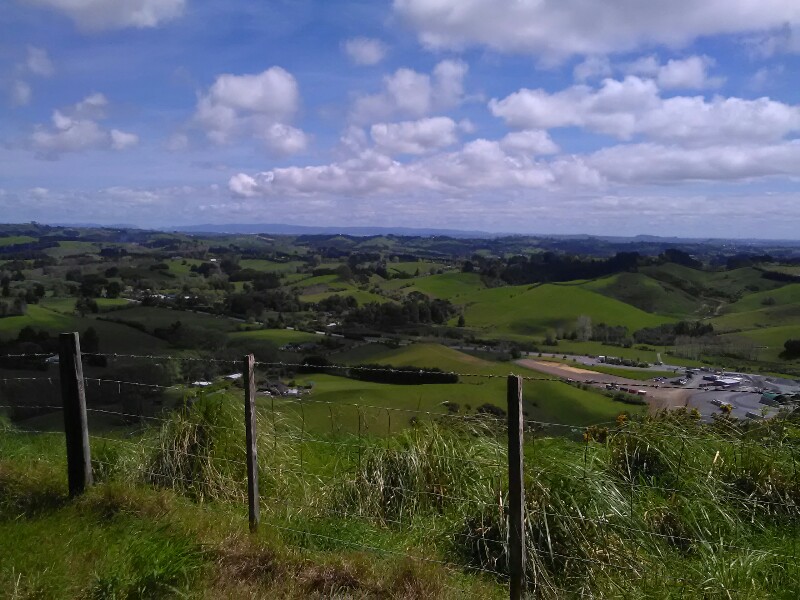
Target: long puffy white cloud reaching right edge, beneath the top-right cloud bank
{"type": "Point", "coordinates": [633, 107]}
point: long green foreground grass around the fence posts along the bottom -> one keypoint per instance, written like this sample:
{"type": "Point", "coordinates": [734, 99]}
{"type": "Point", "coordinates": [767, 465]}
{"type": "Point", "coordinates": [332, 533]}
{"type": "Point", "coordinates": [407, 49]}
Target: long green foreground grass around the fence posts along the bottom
{"type": "Point", "coordinates": [658, 507]}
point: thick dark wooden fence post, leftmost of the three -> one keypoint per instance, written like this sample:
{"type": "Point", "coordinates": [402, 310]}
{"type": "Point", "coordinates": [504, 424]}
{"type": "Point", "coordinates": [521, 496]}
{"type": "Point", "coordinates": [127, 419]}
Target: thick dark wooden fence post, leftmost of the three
{"type": "Point", "coordinates": [76, 429]}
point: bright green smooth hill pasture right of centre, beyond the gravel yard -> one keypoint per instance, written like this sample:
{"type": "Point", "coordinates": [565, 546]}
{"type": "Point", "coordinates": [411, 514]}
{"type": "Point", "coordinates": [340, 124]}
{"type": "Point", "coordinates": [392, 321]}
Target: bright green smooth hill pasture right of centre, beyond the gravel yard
{"type": "Point", "coordinates": [537, 310]}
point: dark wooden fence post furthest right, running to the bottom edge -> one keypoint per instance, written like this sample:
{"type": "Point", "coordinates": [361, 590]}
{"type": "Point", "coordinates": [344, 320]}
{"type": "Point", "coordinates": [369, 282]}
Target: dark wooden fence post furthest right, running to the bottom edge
{"type": "Point", "coordinates": [516, 490]}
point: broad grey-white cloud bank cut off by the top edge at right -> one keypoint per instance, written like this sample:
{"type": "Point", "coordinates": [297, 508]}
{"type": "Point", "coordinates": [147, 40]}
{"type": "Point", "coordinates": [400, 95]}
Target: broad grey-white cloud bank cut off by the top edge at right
{"type": "Point", "coordinates": [556, 29]}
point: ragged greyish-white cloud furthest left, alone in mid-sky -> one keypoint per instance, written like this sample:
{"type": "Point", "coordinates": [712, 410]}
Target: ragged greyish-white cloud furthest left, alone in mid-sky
{"type": "Point", "coordinates": [77, 129]}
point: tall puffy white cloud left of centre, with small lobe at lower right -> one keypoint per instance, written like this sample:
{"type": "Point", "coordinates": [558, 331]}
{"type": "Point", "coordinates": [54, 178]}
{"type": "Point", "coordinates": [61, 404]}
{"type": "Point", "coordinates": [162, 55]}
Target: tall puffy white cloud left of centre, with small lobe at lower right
{"type": "Point", "coordinates": [255, 106]}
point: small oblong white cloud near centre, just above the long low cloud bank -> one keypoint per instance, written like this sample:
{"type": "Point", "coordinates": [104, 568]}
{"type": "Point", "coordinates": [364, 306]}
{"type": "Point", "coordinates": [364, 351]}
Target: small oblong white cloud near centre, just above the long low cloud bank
{"type": "Point", "coordinates": [415, 137]}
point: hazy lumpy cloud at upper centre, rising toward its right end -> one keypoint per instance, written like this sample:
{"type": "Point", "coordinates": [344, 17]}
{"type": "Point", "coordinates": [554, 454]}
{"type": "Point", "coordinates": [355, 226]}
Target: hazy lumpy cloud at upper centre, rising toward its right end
{"type": "Point", "coordinates": [412, 94]}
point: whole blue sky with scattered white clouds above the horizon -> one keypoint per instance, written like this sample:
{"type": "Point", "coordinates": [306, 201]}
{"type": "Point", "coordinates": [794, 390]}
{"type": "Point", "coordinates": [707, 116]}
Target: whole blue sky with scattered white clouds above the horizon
{"type": "Point", "coordinates": [610, 117]}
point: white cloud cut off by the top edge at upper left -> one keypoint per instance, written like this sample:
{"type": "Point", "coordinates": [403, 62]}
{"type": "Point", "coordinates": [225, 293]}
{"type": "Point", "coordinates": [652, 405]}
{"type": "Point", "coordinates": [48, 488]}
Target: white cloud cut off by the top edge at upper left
{"type": "Point", "coordinates": [98, 15]}
